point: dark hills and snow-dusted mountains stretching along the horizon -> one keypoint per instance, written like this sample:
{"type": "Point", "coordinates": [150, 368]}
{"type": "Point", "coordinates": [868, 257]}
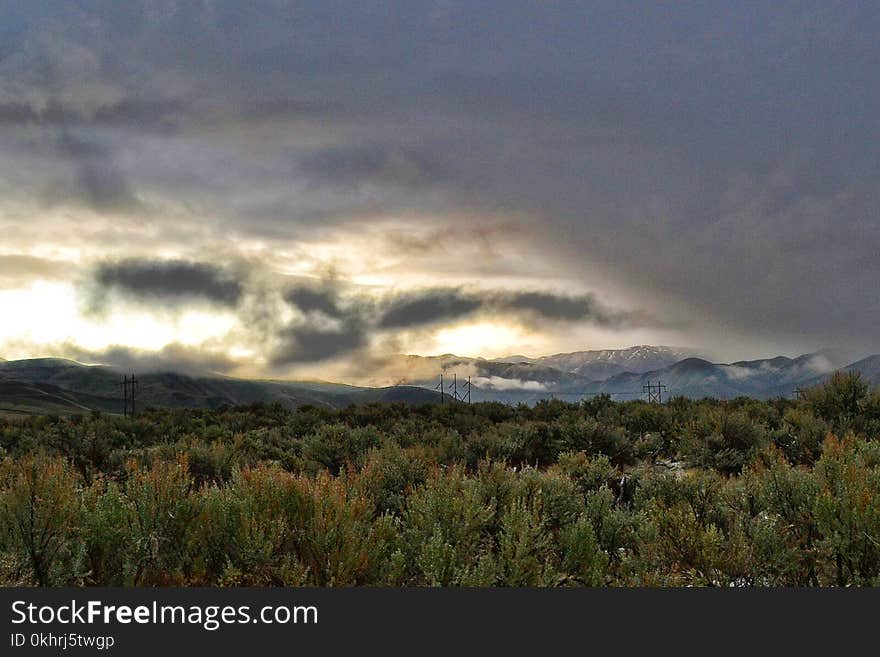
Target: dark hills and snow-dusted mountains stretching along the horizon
{"type": "Point", "coordinates": [62, 386]}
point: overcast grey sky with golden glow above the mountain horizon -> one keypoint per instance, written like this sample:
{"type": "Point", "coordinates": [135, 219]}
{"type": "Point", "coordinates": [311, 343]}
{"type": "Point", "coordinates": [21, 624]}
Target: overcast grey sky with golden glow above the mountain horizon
{"type": "Point", "coordinates": [272, 188]}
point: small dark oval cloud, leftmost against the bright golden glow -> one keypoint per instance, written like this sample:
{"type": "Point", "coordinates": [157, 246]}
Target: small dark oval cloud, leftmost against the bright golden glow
{"type": "Point", "coordinates": [170, 280]}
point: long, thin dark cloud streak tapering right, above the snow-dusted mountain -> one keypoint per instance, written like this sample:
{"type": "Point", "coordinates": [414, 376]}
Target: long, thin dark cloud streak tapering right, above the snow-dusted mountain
{"type": "Point", "coordinates": [426, 307]}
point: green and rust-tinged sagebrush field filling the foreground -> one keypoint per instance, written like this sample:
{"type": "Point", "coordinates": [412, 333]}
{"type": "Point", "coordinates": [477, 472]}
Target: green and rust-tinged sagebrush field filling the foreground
{"type": "Point", "coordinates": [601, 493]}
